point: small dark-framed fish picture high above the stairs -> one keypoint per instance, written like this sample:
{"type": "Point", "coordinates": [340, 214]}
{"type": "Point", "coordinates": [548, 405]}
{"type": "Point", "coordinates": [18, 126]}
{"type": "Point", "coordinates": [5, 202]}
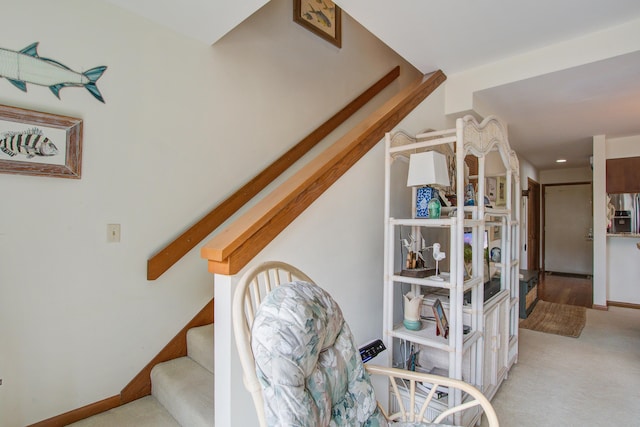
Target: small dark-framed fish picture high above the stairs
{"type": "Point", "coordinates": [321, 17]}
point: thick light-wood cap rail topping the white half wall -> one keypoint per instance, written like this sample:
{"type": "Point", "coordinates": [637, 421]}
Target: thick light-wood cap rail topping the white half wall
{"type": "Point", "coordinates": [231, 249]}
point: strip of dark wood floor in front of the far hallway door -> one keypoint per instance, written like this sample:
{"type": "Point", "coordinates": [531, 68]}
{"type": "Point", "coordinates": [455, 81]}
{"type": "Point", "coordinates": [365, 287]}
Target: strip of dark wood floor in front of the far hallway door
{"type": "Point", "coordinates": [566, 290]}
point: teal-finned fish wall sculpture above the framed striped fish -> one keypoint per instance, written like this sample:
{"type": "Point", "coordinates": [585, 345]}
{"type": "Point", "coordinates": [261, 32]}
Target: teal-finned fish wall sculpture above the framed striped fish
{"type": "Point", "coordinates": [26, 66]}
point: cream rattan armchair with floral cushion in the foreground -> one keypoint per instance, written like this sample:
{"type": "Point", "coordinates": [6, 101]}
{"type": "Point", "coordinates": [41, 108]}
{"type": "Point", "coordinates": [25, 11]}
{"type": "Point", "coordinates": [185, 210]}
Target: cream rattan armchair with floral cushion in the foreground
{"type": "Point", "coordinates": [303, 368]}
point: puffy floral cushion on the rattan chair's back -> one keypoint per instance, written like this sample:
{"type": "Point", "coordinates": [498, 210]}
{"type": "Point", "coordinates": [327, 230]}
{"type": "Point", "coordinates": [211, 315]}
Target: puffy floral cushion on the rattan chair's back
{"type": "Point", "coordinates": [306, 360]}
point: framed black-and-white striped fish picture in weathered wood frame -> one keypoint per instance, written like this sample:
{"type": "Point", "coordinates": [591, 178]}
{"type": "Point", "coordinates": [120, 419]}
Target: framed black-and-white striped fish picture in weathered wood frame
{"type": "Point", "coordinates": [41, 144]}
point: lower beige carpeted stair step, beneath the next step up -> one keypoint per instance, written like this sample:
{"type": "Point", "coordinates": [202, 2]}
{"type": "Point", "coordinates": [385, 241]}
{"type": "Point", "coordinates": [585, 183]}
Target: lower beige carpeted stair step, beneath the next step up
{"type": "Point", "coordinates": [185, 389]}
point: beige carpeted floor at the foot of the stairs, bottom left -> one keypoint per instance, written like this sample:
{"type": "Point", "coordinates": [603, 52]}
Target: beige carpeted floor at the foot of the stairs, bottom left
{"type": "Point", "coordinates": [144, 412]}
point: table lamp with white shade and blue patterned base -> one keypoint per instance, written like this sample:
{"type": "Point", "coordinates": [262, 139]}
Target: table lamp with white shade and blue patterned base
{"type": "Point", "coordinates": [426, 169]}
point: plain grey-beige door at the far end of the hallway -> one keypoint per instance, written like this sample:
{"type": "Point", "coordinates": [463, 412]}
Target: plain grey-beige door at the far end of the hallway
{"type": "Point", "coordinates": [568, 244]}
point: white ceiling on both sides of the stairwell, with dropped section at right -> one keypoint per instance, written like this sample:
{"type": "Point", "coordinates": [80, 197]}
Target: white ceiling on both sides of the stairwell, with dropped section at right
{"type": "Point", "coordinates": [557, 72]}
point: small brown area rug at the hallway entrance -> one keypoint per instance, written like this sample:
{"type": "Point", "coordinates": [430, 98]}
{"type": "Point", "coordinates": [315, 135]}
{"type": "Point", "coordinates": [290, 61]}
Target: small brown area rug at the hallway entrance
{"type": "Point", "coordinates": [559, 319]}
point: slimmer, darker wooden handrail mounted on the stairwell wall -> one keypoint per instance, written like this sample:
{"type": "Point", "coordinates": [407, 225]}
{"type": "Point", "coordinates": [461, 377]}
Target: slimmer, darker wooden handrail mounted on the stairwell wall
{"type": "Point", "coordinates": [174, 251]}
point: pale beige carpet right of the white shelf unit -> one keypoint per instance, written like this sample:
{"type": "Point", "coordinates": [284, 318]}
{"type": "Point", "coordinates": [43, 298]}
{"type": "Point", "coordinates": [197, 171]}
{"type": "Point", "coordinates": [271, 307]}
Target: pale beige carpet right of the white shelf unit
{"type": "Point", "coordinates": [593, 380]}
